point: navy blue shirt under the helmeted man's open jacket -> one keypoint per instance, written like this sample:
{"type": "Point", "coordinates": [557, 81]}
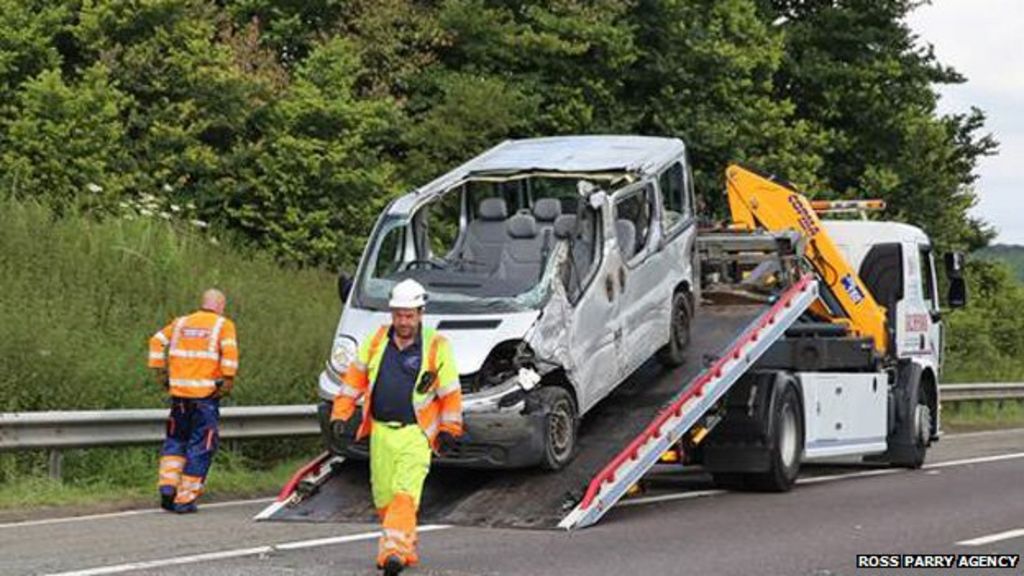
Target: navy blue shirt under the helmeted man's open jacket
{"type": "Point", "coordinates": [393, 400]}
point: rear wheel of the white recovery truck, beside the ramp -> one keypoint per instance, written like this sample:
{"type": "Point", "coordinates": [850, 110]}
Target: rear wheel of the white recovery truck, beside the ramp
{"type": "Point", "coordinates": [786, 445]}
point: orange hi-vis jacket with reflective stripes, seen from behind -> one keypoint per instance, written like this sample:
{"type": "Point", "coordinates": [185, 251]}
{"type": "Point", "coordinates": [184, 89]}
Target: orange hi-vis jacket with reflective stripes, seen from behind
{"type": "Point", "coordinates": [197, 350]}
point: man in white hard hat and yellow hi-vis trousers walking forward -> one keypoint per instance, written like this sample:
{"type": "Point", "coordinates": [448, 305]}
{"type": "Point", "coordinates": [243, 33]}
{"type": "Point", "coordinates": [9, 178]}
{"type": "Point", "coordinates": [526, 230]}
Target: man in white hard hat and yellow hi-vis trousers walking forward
{"type": "Point", "coordinates": [413, 405]}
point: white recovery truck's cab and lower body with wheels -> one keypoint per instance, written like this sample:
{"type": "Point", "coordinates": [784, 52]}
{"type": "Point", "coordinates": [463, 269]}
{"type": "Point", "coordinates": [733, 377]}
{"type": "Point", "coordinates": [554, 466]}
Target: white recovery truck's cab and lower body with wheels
{"type": "Point", "coordinates": [824, 391]}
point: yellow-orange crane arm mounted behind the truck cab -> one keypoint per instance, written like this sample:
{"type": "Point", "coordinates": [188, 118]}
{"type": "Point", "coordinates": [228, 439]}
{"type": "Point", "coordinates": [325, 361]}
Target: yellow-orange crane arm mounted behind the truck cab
{"type": "Point", "coordinates": [759, 202]}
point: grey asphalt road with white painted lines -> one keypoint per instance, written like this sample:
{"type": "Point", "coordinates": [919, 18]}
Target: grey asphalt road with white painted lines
{"type": "Point", "coordinates": [968, 500]}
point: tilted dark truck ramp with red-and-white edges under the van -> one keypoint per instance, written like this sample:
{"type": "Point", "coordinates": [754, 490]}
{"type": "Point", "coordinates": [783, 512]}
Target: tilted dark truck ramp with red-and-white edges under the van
{"type": "Point", "coordinates": [616, 443]}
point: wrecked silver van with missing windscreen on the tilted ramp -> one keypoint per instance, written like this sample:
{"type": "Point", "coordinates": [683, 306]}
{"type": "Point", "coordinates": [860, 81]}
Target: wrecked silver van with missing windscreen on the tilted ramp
{"type": "Point", "coordinates": [556, 267]}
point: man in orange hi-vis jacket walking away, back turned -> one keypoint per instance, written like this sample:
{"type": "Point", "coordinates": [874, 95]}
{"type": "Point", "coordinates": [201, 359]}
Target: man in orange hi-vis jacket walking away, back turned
{"type": "Point", "coordinates": [196, 357]}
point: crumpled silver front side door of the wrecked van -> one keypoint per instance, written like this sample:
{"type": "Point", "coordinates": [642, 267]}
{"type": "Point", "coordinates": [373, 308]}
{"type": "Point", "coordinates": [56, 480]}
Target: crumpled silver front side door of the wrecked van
{"type": "Point", "coordinates": [595, 331]}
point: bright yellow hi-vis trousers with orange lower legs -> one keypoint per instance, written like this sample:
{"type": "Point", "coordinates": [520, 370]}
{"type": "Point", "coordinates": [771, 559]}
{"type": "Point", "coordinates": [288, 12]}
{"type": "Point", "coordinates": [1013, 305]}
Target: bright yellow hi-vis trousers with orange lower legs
{"type": "Point", "coordinates": [400, 461]}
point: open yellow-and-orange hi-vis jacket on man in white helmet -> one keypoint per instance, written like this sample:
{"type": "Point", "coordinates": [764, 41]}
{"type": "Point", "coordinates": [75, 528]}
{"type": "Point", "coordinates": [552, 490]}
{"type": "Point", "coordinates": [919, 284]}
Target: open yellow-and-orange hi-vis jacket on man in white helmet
{"type": "Point", "coordinates": [438, 409]}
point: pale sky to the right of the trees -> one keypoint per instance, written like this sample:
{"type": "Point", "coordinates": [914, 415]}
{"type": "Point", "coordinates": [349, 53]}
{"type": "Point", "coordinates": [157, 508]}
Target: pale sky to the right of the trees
{"type": "Point", "coordinates": [985, 42]}
